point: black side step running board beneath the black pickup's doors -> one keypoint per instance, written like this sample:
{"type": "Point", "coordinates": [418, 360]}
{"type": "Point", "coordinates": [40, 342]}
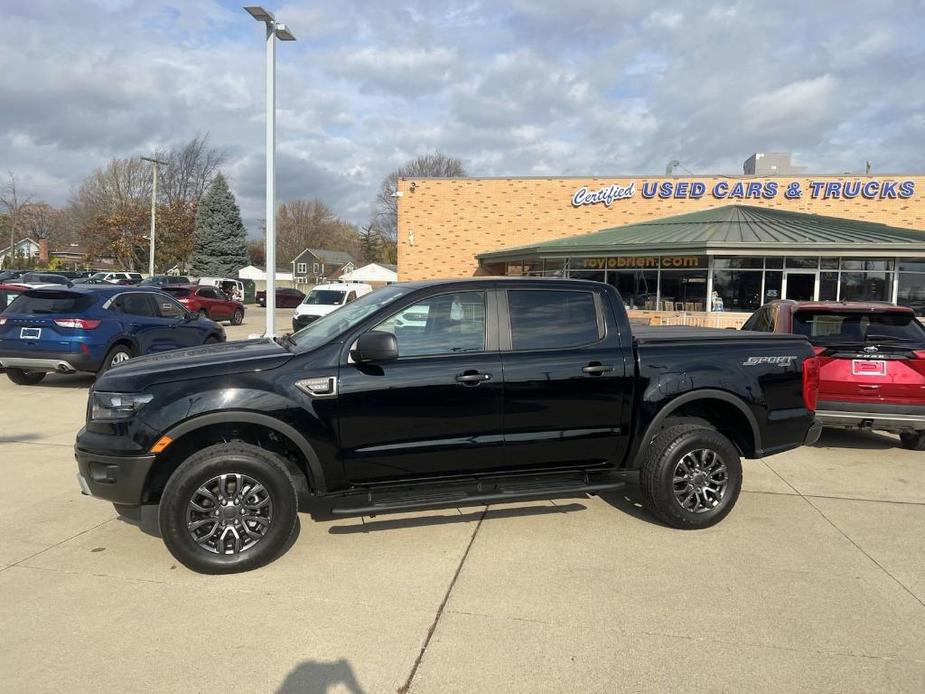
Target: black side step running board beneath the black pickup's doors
{"type": "Point", "coordinates": [435, 497]}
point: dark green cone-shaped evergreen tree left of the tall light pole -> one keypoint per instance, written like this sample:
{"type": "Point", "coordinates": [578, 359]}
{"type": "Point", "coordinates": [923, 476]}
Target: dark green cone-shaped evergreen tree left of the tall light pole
{"type": "Point", "coordinates": [220, 236]}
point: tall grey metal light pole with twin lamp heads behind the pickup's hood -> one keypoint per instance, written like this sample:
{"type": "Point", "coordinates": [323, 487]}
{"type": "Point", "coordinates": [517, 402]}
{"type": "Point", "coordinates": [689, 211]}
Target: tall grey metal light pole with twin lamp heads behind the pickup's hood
{"type": "Point", "coordinates": [275, 30]}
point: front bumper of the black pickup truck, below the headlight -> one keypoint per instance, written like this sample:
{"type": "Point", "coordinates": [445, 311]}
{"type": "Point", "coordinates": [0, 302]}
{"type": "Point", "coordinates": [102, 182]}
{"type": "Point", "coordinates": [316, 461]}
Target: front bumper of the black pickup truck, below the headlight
{"type": "Point", "coordinates": [120, 479]}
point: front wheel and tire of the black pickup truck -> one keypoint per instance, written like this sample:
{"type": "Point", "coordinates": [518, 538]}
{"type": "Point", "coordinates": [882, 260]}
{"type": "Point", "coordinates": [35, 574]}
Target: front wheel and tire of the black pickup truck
{"type": "Point", "coordinates": [222, 546]}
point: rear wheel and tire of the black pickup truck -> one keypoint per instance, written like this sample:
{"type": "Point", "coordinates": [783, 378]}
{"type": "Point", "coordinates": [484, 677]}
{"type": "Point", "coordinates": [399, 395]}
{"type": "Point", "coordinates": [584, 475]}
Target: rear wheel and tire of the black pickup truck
{"type": "Point", "coordinates": [695, 453]}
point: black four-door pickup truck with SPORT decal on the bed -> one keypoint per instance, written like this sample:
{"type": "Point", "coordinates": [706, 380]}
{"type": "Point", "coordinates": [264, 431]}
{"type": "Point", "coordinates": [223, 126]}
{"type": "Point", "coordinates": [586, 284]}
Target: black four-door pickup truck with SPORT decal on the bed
{"type": "Point", "coordinates": [440, 393]}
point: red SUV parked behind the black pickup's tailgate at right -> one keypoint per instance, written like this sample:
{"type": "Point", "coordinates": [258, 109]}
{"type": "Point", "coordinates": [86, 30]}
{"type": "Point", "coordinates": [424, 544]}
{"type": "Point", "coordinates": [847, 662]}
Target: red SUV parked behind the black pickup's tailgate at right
{"type": "Point", "coordinates": [872, 359]}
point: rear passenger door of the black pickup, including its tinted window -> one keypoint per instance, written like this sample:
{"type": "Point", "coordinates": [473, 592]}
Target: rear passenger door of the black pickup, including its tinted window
{"type": "Point", "coordinates": [566, 388]}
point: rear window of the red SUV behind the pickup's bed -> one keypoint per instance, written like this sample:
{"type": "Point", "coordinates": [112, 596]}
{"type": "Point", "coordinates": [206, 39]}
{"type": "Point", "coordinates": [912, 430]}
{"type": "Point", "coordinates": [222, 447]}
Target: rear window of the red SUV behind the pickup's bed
{"type": "Point", "coordinates": [832, 328]}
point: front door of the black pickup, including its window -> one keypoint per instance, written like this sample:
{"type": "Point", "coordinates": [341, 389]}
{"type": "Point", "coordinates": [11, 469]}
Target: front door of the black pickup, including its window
{"type": "Point", "coordinates": [436, 410]}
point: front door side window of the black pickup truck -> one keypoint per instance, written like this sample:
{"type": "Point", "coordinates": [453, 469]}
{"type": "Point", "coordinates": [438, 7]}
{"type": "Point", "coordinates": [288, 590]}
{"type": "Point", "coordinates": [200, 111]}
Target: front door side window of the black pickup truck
{"type": "Point", "coordinates": [442, 324]}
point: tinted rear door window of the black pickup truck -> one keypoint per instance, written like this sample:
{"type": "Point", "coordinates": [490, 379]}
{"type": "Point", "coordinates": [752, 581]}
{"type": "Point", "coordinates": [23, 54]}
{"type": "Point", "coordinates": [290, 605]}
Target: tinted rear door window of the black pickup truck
{"type": "Point", "coordinates": [553, 319]}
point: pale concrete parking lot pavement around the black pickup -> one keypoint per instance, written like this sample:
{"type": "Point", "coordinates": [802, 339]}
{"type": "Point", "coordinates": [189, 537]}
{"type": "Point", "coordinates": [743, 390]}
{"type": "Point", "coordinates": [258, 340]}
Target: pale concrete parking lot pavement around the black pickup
{"type": "Point", "coordinates": [816, 582]}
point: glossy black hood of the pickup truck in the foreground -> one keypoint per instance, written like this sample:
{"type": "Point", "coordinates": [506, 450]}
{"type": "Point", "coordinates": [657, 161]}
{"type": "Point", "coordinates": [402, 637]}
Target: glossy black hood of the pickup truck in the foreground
{"type": "Point", "coordinates": [199, 362]}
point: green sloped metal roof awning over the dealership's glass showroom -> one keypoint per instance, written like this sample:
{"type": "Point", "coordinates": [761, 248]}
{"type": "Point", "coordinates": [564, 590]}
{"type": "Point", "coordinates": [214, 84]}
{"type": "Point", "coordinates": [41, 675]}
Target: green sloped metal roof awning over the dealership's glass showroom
{"type": "Point", "coordinates": [732, 228]}
